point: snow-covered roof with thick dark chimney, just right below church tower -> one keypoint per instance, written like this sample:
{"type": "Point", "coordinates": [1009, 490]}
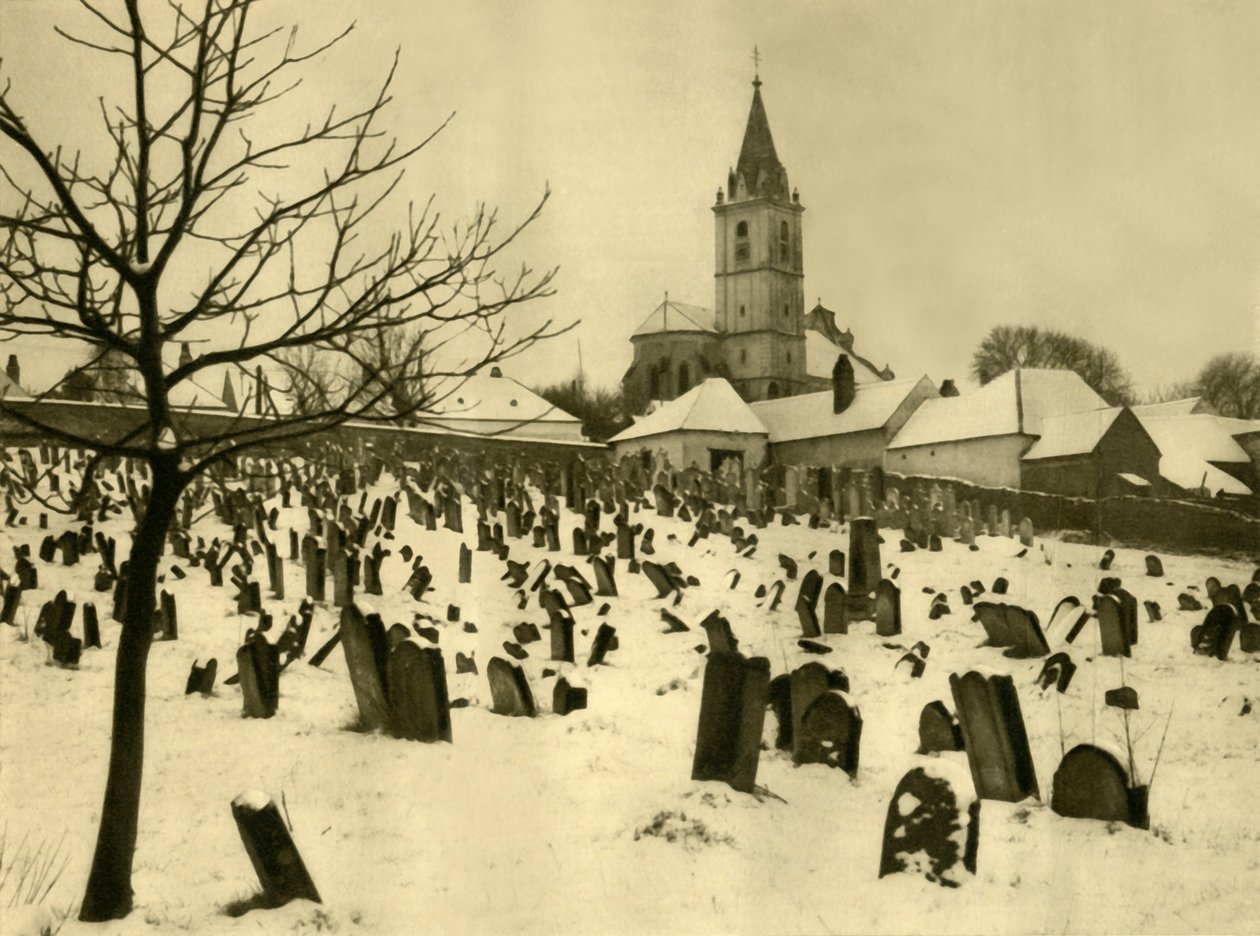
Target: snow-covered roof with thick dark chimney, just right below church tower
{"type": "Point", "coordinates": [810, 415]}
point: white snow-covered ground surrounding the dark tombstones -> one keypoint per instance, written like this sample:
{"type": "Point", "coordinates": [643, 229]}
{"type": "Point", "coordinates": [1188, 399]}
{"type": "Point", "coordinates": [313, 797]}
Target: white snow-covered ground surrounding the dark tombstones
{"type": "Point", "coordinates": [590, 823]}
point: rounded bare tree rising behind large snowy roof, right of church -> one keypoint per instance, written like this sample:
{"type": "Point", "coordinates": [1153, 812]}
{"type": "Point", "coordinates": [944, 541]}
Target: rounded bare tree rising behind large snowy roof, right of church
{"type": "Point", "coordinates": [1009, 347]}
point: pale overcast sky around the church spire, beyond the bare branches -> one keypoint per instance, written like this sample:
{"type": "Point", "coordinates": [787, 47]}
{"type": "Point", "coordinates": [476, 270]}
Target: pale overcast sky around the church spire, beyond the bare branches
{"type": "Point", "coordinates": [1087, 167]}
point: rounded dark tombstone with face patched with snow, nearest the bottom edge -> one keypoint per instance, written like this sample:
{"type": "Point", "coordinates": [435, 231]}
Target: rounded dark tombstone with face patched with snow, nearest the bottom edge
{"type": "Point", "coordinates": [931, 830]}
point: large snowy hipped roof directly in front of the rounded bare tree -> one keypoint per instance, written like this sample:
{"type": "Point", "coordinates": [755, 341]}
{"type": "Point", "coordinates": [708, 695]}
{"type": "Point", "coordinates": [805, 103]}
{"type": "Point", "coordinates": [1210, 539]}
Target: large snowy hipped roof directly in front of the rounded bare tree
{"type": "Point", "coordinates": [1014, 404]}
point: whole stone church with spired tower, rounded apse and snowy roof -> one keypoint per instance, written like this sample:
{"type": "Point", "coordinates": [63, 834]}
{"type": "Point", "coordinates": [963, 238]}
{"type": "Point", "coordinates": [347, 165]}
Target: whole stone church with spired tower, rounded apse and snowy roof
{"type": "Point", "coordinates": [758, 336]}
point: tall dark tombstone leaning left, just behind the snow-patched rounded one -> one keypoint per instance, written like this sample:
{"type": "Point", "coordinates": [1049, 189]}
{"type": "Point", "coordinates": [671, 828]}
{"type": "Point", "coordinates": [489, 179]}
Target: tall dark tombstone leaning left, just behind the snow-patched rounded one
{"type": "Point", "coordinates": [995, 736]}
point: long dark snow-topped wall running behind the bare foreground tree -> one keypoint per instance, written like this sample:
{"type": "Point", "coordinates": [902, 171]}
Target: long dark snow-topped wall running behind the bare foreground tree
{"type": "Point", "coordinates": [106, 421]}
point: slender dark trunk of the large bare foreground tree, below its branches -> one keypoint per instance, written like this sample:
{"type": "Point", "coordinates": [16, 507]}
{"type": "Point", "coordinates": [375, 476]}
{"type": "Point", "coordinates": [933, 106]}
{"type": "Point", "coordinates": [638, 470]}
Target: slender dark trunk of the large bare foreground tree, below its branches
{"type": "Point", "coordinates": [109, 887]}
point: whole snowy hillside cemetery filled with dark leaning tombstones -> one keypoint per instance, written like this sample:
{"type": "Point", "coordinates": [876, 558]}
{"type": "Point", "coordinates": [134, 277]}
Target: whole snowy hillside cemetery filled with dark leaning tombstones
{"type": "Point", "coordinates": [594, 696]}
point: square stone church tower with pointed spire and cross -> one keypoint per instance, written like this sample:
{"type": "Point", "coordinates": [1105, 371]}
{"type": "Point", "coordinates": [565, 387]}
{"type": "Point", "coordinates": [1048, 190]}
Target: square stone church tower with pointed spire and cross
{"type": "Point", "coordinates": [760, 299]}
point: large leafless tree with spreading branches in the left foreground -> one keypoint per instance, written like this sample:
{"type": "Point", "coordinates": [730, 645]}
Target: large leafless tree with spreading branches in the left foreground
{"type": "Point", "coordinates": [287, 229]}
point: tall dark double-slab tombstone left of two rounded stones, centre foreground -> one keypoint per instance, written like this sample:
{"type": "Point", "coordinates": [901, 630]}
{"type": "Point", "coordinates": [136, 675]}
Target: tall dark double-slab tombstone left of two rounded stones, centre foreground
{"type": "Point", "coordinates": [733, 717]}
